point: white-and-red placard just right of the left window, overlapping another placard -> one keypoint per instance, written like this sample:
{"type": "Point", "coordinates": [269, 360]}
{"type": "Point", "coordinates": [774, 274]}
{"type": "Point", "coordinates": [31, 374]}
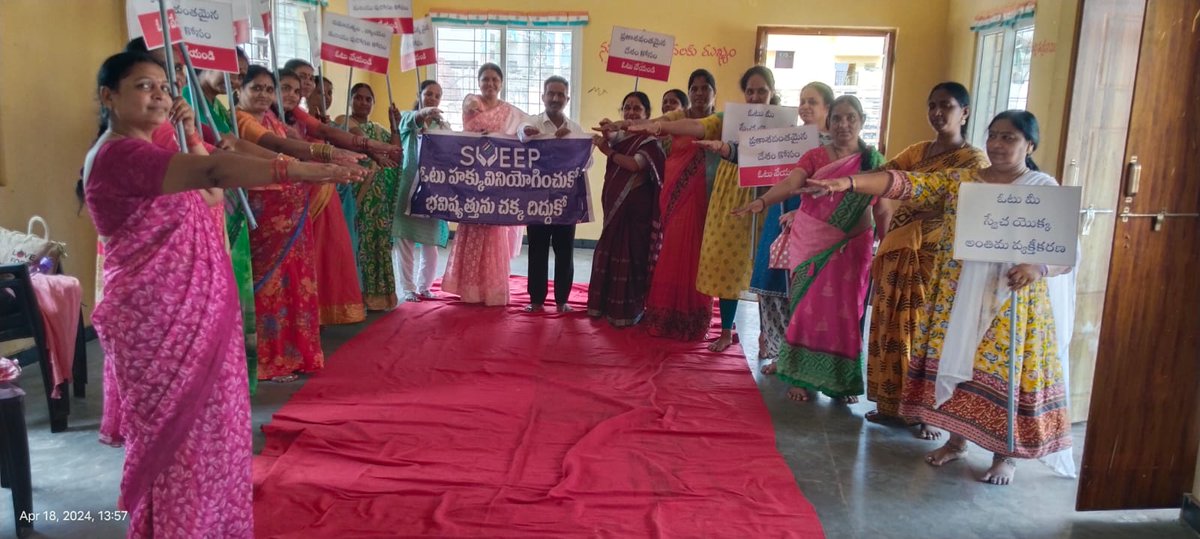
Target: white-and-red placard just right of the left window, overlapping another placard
{"type": "Point", "coordinates": [356, 43]}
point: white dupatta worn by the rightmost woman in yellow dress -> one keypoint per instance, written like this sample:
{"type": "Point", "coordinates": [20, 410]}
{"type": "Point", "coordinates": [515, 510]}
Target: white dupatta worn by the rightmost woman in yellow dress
{"type": "Point", "coordinates": [982, 292]}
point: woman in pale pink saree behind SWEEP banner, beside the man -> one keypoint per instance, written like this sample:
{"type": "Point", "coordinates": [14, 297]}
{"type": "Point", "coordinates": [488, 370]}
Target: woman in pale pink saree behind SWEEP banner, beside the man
{"type": "Point", "coordinates": [478, 268]}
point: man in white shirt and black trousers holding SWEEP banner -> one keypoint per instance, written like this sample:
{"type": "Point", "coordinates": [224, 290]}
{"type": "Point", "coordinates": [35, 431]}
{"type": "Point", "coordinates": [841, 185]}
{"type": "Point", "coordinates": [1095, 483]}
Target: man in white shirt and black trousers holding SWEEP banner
{"type": "Point", "coordinates": [551, 123]}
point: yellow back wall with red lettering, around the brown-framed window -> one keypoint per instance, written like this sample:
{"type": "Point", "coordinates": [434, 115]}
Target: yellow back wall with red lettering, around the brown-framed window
{"type": "Point", "coordinates": [920, 57]}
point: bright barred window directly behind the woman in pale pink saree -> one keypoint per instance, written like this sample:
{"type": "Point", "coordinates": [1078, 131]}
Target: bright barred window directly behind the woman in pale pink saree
{"type": "Point", "coordinates": [529, 56]}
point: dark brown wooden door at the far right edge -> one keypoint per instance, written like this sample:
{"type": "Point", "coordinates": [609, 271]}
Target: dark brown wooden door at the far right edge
{"type": "Point", "coordinates": [1144, 426]}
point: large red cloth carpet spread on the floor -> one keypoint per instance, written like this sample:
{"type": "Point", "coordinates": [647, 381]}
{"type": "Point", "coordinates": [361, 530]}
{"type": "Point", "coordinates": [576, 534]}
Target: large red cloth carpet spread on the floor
{"type": "Point", "coordinates": [445, 420]}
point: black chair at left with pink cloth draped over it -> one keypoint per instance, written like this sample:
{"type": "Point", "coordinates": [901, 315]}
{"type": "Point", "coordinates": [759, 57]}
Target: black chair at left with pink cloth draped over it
{"type": "Point", "coordinates": [21, 319]}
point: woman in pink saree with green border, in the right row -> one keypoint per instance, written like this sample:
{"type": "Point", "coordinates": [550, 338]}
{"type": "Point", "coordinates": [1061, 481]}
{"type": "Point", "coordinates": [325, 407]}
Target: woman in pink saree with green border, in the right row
{"type": "Point", "coordinates": [830, 251]}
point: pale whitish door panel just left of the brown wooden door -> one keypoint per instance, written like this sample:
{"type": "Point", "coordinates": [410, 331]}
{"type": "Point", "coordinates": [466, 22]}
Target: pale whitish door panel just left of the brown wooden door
{"type": "Point", "coordinates": [1105, 71]}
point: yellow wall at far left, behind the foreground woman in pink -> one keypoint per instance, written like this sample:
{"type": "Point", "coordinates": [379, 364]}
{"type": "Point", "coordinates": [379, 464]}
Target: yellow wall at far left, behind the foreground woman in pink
{"type": "Point", "coordinates": [49, 115]}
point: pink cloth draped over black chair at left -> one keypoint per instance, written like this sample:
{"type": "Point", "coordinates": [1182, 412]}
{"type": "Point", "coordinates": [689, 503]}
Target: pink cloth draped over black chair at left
{"type": "Point", "coordinates": [59, 300]}
